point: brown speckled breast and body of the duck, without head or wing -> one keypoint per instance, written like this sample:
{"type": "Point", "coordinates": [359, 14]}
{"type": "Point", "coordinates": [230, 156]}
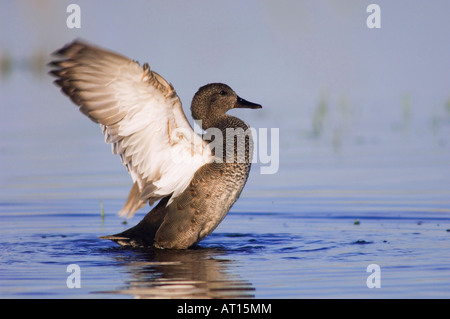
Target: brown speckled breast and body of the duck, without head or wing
{"type": "Point", "coordinates": [196, 212]}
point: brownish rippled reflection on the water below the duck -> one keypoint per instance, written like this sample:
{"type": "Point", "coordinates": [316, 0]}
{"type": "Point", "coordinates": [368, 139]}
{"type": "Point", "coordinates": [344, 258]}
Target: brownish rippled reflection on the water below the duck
{"type": "Point", "coordinates": [192, 273]}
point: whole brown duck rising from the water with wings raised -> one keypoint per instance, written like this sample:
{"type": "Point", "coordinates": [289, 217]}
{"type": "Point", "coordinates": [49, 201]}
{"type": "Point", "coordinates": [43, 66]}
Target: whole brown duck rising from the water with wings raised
{"type": "Point", "coordinates": [193, 177]}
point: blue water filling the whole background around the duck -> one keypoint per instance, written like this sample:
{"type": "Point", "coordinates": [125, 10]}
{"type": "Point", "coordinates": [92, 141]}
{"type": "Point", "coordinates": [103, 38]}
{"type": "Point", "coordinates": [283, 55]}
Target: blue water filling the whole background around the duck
{"type": "Point", "coordinates": [364, 162]}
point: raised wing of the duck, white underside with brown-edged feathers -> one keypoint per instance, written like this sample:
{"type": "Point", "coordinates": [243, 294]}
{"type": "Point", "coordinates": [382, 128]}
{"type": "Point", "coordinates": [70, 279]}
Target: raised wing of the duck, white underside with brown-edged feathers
{"type": "Point", "coordinates": [140, 115]}
